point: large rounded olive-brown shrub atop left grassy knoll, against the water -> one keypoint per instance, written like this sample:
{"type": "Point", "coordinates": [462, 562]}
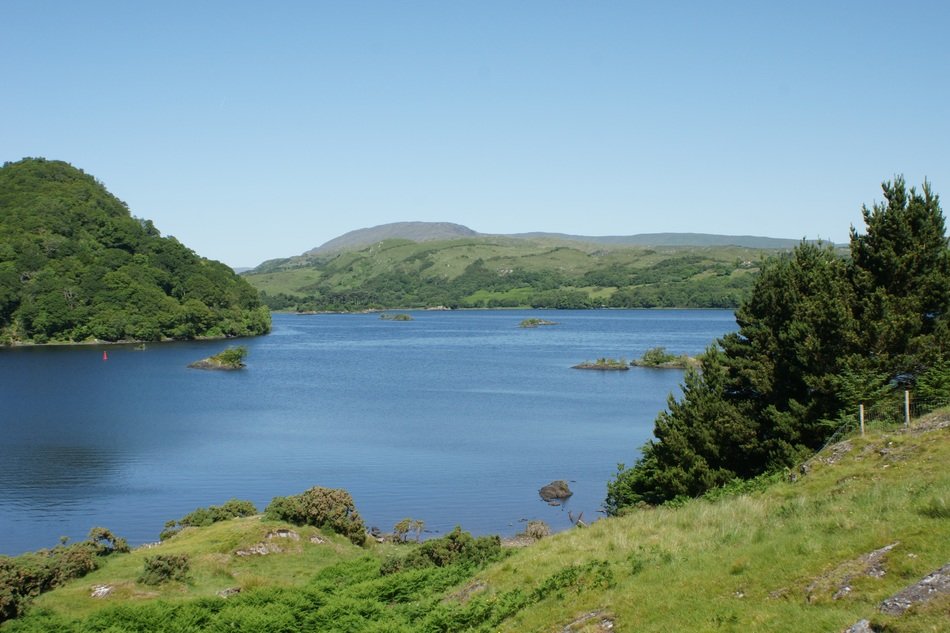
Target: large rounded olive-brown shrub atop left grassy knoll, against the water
{"type": "Point", "coordinates": [330, 508]}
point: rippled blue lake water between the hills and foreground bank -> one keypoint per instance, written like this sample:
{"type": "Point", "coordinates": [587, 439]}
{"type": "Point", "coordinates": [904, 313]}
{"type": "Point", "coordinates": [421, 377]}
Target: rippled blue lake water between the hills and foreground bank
{"type": "Point", "coordinates": [452, 418]}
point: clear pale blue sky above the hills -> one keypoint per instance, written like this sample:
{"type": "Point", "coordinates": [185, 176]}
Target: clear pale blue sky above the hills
{"type": "Point", "coordinates": [259, 130]}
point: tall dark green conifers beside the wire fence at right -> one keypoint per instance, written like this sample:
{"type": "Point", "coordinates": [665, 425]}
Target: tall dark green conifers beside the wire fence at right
{"type": "Point", "coordinates": [818, 334]}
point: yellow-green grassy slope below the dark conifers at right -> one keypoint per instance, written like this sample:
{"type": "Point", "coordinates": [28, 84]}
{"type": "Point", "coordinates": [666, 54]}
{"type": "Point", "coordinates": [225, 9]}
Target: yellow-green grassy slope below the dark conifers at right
{"type": "Point", "coordinates": [769, 561]}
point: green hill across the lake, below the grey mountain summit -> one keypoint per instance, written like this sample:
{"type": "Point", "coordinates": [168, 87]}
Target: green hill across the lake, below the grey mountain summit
{"type": "Point", "coordinates": [504, 271]}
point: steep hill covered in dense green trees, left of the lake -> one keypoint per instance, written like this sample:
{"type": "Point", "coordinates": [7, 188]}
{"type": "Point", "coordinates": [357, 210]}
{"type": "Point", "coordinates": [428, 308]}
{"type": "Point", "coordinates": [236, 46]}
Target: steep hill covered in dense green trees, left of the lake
{"type": "Point", "coordinates": [76, 266]}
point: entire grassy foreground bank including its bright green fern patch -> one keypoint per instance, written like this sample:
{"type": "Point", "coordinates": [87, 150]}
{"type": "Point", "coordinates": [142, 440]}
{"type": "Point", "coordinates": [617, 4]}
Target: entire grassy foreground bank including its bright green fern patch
{"type": "Point", "coordinates": [816, 549]}
